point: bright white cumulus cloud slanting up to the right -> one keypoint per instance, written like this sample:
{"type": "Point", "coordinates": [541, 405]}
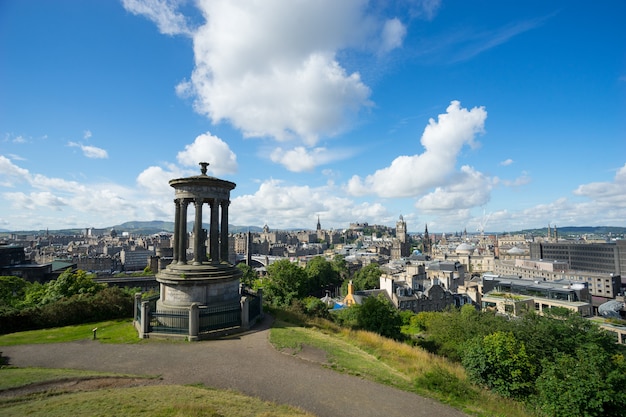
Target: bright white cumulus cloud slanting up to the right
{"type": "Point", "coordinates": [443, 139]}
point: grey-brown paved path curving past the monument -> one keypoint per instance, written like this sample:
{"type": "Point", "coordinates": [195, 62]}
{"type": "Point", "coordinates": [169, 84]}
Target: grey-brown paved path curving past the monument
{"type": "Point", "coordinates": [247, 363]}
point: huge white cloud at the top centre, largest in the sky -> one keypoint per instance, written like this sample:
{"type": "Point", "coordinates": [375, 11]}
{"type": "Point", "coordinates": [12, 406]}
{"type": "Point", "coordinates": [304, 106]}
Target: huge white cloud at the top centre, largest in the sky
{"type": "Point", "coordinates": [269, 68]}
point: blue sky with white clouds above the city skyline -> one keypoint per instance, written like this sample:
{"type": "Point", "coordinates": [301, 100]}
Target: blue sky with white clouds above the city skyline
{"type": "Point", "coordinates": [450, 113]}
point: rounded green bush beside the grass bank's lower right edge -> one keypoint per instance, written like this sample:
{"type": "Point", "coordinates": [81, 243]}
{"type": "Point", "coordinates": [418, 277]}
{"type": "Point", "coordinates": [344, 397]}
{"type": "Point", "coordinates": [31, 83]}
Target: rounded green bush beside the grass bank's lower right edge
{"type": "Point", "coordinates": [500, 362]}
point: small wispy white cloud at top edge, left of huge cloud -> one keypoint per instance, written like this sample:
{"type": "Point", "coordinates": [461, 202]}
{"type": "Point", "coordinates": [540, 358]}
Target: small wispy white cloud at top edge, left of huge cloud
{"type": "Point", "coordinates": [162, 12]}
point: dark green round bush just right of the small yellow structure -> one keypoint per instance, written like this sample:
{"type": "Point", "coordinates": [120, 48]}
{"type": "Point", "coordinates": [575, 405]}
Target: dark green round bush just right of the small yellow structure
{"type": "Point", "coordinates": [378, 315]}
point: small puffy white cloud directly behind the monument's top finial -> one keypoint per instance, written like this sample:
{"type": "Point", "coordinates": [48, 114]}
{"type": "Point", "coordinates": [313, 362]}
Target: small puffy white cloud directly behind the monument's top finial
{"type": "Point", "coordinates": [211, 149]}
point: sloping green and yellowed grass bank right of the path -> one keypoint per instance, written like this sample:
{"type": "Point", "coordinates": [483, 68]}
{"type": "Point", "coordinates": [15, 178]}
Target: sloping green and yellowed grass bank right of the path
{"type": "Point", "coordinates": [396, 364]}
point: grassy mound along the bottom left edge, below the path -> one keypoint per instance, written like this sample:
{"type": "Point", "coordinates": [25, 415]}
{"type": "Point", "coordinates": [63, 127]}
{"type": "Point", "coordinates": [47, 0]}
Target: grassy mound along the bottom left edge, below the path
{"type": "Point", "coordinates": [153, 401]}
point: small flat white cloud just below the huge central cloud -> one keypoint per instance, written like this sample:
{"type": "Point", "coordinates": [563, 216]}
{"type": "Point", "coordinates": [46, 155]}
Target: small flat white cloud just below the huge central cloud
{"type": "Point", "coordinates": [301, 159]}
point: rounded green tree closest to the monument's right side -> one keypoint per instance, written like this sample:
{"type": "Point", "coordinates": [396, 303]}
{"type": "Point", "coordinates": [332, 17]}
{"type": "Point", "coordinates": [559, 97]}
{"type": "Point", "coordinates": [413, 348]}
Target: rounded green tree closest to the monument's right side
{"type": "Point", "coordinates": [286, 282]}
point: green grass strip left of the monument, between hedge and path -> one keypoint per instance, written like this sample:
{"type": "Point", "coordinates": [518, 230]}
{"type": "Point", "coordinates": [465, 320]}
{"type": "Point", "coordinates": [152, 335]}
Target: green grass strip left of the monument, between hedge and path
{"type": "Point", "coordinates": [113, 331]}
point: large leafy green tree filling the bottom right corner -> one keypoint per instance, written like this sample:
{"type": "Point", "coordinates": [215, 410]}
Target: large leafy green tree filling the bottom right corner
{"type": "Point", "coordinates": [588, 382]}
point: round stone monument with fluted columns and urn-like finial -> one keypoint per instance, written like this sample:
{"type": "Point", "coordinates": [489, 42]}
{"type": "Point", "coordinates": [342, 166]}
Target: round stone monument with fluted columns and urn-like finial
{"type": "Point", "coordinates": [208, 279]}
